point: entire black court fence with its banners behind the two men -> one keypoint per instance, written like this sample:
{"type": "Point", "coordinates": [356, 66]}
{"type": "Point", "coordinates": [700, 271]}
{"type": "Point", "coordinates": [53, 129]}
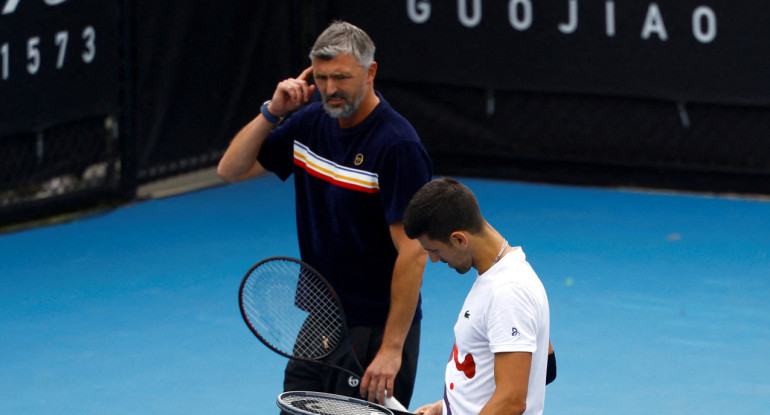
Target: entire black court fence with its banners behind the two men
{"type": "Point", "coordinates": [99, 98]}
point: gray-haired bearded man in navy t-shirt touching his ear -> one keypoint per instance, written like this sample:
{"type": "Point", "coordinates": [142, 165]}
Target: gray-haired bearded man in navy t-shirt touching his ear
{"type": "Point", "coordinates": [356, 164]}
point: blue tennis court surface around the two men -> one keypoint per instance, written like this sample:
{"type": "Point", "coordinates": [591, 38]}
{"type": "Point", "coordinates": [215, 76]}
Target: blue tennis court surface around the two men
{"type": "Point", "coordinates": [660, 303]}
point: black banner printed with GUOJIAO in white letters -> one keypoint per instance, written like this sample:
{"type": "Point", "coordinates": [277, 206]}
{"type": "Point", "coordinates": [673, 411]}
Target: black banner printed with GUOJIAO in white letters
{"type": "Point", "coordinates": [709, 51]}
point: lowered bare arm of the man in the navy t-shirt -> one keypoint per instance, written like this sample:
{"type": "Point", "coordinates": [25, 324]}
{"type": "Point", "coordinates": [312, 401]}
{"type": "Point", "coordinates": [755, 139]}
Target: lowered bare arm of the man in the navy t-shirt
{"type": "Point", "coordinates": [404, 294]}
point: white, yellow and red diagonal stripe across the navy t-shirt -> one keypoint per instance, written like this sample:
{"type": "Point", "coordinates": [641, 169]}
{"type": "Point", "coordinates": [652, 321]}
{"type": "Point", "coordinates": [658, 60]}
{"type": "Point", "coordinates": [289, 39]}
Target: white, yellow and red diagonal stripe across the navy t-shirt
{"type": "Point", "coordinates": [327, 170]}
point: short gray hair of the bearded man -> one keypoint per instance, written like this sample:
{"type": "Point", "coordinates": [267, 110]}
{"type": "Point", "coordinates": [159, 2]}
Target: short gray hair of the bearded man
{"type": "Point", "coordinates": [343, 37]}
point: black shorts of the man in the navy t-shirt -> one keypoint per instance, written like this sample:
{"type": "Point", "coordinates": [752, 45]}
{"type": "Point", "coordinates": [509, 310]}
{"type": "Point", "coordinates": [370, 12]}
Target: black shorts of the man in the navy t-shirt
{"type": "Point", "coordinates": [366, 341]}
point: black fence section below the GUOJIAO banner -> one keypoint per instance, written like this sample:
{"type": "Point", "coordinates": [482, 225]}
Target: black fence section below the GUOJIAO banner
{"type": "Point", "coordinates": [590, 140]}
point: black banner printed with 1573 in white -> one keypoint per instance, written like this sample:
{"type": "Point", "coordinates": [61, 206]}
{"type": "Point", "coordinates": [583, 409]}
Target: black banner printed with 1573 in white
{"type": "Point", "coordinates": [59, 61]}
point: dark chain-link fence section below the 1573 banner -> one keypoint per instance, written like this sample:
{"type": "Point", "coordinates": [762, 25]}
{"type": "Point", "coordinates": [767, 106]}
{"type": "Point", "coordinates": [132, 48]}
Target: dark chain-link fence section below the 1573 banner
{"type": "Point", "coordinates": [57, 168]}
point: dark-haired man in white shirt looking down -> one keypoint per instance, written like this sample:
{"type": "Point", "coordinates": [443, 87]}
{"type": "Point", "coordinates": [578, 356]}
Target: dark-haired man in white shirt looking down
{"type": "Point", "coordinates": [502, 346]}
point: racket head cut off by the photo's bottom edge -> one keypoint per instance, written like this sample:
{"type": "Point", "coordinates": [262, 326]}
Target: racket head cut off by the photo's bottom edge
{"type": "Point", "coordinates": [320, 403]}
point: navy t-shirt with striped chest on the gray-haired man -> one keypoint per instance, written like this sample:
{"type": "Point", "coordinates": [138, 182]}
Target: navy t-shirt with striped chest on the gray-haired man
{"type": "Point", "coordinates": [350, 184]}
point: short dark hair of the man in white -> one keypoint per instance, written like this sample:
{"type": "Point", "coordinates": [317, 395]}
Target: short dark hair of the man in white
{"type": "Point", "coordinates": [440, 207]}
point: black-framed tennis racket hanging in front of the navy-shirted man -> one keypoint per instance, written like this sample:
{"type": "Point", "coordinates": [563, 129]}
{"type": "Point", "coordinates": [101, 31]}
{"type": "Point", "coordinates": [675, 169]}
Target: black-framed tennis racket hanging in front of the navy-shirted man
{"type": "Point", "coordinates": [295, 312]}
